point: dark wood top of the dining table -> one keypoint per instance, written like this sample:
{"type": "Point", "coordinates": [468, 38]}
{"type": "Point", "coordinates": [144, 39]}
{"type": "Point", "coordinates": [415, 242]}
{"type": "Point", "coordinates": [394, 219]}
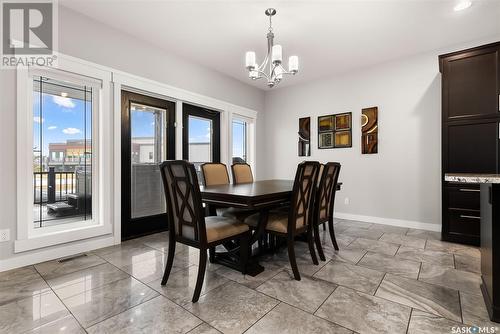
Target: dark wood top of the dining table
{"type": "Point", "coordinates": [249, 195]}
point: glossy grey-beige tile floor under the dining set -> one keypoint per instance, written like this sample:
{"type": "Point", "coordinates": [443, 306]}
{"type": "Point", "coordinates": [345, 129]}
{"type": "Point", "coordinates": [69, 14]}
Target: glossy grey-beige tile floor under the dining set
{"type": "Point", "coordinates": [384, 279]}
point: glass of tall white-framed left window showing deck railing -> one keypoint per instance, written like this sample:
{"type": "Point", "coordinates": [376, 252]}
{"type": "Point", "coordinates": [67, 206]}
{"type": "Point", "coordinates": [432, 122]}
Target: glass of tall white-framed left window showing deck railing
{"type": "Point", "coordinates": [62, 152]}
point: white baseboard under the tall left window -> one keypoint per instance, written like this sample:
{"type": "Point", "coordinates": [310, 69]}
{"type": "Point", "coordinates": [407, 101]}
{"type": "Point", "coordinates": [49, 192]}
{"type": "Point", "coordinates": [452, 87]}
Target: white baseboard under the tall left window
{"type": "Point", "coordinates": [54, 253]}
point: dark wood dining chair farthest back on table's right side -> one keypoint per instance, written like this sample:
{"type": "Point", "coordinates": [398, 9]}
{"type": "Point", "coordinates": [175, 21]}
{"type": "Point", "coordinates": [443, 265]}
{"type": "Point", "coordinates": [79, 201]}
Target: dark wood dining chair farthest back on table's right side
{"type": "Point", "coordinates": [324, 202]}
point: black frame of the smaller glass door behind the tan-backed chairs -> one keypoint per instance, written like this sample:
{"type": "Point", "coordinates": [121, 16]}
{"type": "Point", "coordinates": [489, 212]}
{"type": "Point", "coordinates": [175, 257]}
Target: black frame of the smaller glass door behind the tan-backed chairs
{"type": "Point", "coordinates": [214, 116]}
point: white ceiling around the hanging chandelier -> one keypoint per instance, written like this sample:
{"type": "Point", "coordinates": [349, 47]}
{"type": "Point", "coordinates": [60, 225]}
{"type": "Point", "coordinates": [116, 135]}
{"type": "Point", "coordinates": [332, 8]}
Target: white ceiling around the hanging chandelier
{"type": "Point", "coordinates": [328, 36]}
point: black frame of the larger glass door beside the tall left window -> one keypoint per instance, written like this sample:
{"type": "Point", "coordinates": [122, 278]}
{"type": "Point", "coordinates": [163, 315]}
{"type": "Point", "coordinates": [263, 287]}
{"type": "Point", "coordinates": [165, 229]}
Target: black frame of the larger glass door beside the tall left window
{"type": "Point", "coordinates": [132, 228]}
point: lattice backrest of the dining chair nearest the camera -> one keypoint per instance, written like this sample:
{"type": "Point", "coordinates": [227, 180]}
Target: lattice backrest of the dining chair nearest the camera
{"type": "Point", "coordinates": [184, 207]}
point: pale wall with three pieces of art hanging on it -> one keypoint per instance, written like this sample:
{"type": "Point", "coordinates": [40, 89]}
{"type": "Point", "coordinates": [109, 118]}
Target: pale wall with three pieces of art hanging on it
{"type": "Point", "coordinates": [400, 184]}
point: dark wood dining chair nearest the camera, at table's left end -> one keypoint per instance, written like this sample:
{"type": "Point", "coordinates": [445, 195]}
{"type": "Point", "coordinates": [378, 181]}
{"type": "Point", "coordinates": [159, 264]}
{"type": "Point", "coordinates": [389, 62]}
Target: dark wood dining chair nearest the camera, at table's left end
{"type": "Point", "coordinates": [188, 224]}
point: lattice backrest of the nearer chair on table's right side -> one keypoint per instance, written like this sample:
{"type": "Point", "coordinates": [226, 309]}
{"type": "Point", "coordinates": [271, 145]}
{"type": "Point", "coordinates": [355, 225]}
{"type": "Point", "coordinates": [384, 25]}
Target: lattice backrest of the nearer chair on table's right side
{"type": "Point", "coordinates": [302, 197]}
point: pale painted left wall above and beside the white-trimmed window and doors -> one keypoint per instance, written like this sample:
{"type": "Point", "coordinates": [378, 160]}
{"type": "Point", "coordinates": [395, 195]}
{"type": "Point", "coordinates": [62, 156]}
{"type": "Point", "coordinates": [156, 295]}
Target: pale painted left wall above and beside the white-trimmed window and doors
{"type": "Point", "coordinates": [82, 37]}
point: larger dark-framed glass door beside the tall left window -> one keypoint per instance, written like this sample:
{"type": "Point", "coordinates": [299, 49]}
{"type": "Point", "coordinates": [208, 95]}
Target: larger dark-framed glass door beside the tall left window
{"type": "Point", "coordinates": [148, 135]}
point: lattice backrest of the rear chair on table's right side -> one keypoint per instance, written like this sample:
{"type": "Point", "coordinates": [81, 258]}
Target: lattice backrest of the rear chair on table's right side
{"type": "Point", "coordinates": [325, 194]}
